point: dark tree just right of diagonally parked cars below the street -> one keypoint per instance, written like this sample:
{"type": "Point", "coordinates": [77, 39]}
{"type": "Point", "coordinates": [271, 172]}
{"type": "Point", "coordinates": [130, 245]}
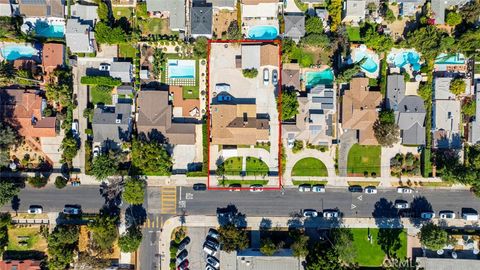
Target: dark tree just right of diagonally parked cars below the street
{"type": "Point", "coordinates": [232, 238]}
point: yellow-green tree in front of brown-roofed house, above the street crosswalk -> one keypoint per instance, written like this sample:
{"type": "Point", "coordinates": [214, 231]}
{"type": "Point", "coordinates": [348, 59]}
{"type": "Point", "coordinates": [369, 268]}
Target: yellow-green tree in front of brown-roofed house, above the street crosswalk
{"type": "Point", "coordinates": [150, 157]}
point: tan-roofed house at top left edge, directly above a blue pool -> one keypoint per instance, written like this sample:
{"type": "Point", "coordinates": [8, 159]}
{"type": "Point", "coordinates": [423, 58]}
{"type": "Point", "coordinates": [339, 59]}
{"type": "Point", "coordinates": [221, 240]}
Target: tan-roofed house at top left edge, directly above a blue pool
{"type": "Point", "coordinates": [41, 8]}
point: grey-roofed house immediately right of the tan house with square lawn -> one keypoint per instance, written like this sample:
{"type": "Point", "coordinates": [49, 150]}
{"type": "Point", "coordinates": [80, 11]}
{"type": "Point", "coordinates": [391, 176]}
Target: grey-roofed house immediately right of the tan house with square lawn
{"type": "Point", "coordinates": [409, 111]}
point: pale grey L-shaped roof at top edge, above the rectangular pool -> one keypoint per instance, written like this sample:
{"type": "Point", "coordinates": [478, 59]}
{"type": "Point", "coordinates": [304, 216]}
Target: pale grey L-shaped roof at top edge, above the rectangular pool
{"type": "Point", "coordinates": [174, 10]}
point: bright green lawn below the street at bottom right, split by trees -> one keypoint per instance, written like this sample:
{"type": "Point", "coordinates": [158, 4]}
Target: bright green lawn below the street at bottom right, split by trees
{"type": "Point", "coordinates": [371, 254]}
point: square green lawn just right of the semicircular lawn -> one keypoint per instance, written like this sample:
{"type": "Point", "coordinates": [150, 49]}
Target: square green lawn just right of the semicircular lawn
{"type": "Point", "coordinates": [364, 158]}
